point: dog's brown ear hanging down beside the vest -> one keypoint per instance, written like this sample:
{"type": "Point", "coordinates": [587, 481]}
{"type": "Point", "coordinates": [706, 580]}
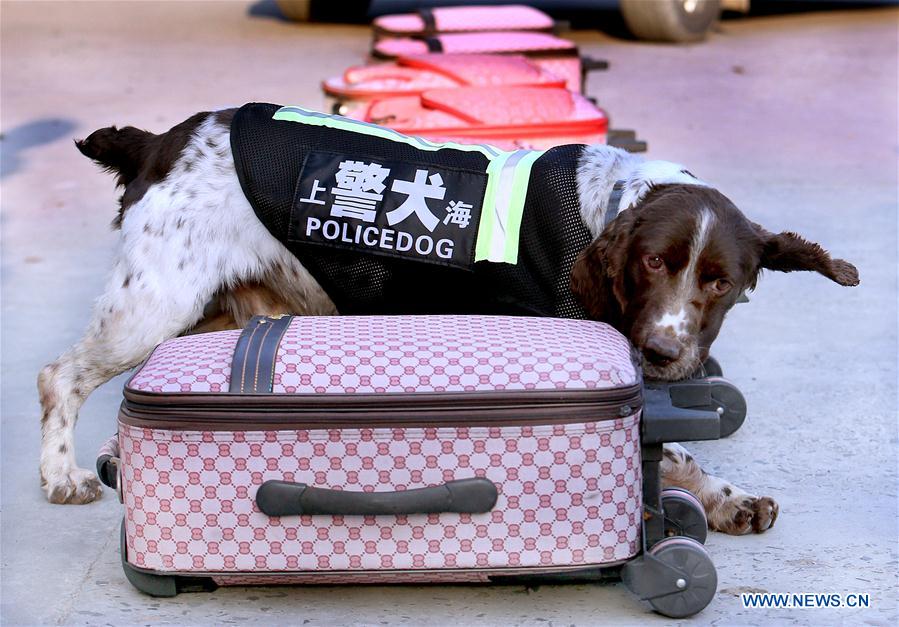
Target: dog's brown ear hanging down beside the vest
{"type": "Point", "coordinates": [597, 276]}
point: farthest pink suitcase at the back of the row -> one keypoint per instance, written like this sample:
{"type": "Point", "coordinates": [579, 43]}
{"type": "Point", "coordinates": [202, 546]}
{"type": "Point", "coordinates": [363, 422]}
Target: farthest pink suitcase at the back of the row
{"type": "Point", "coordinates": [427, 21]}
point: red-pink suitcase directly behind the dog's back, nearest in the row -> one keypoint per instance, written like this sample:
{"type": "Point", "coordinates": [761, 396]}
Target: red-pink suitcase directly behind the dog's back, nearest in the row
{"type": "Point", "coordinates": [507, 117]}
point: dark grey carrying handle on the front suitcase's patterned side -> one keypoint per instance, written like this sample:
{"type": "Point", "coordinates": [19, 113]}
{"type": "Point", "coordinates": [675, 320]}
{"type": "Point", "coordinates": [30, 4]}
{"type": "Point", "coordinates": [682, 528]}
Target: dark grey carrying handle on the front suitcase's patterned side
{"type": "Point", "coordinates": [468, 496]}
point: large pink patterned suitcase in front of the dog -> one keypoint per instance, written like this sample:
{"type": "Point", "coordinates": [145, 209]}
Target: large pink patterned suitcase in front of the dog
{"type": "Point", "coordinates": [404, 449]}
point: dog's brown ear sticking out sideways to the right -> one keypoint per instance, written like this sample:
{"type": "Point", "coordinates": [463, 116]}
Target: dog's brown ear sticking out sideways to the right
{"type": "Point", "coordinates": [788, 252]}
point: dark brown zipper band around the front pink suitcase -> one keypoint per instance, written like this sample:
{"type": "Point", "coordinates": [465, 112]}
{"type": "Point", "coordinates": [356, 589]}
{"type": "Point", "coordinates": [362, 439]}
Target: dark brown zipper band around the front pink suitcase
{"type": "Point", "coordinates": [215, 411]}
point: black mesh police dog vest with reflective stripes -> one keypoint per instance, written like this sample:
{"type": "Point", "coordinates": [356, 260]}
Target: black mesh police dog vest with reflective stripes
{"type": "Point", "coordinates": [393, 224]}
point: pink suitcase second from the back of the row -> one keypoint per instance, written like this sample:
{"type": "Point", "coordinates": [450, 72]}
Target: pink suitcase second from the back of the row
{"type": "Point", "coordinates": [552, 53]}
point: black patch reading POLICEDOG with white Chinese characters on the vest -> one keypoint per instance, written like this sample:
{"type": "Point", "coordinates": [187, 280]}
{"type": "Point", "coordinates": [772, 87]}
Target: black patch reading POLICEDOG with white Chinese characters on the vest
{"type": "Point", "coordinates": [395, 208]}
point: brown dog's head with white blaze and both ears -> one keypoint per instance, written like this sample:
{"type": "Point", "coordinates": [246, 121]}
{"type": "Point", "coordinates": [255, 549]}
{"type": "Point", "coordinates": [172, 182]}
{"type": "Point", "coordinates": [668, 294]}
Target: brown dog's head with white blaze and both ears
{"type": "Point", "coordinates": [666, 271]}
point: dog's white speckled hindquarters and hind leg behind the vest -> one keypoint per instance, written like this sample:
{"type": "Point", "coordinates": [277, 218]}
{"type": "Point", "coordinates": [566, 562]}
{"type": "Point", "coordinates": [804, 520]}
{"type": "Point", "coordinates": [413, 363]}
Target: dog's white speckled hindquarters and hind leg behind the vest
{"type": "Point", "coordinates": [185, 238]}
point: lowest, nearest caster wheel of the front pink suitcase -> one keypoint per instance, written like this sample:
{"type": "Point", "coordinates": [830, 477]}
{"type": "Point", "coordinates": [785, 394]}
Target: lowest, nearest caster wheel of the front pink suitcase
{"type": "Point", "coordinates": [697, 586]}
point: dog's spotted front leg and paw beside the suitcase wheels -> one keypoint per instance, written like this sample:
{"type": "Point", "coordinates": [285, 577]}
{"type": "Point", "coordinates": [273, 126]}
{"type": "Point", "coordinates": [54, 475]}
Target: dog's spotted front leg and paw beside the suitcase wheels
{"type": "Point", "coordinates": [728, 508]}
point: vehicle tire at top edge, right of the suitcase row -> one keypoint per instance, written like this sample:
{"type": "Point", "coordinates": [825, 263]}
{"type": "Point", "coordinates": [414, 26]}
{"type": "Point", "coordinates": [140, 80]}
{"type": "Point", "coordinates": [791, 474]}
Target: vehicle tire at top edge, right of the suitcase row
{"type": "Point", "coordinates": [674, 21]}
